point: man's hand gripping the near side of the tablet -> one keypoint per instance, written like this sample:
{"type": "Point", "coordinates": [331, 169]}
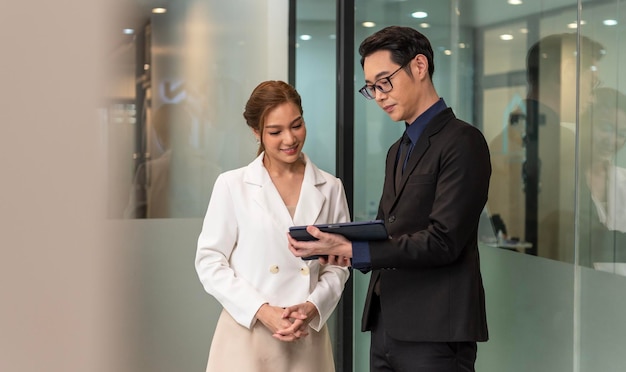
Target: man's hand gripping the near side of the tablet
{"type": "Point", "coordinates": [326, 244]}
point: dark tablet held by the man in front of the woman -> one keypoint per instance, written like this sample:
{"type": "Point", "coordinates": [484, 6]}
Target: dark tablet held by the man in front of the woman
{"type": "Point", "coordinates": [355, 231]}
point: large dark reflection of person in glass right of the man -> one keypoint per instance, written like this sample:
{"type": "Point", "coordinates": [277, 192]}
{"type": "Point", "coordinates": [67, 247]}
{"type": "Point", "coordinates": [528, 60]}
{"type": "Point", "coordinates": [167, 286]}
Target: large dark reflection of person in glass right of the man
{"type": "Point", "coordinates": [536, 198]}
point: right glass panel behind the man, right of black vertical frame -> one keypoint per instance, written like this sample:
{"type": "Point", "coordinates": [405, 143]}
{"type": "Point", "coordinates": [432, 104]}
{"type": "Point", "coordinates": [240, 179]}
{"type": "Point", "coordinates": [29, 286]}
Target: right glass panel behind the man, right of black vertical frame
{"type": "Point", "coordinates": [542, 80]}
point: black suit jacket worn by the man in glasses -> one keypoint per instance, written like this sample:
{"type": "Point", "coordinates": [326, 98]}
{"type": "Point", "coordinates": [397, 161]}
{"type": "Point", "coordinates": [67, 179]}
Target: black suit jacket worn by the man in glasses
{"type": "Point", "coordinates": [431, 286]}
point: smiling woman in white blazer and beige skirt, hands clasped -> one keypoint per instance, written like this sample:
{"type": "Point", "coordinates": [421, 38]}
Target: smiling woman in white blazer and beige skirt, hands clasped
{"type": "Point", "coordinates": [275, 305]}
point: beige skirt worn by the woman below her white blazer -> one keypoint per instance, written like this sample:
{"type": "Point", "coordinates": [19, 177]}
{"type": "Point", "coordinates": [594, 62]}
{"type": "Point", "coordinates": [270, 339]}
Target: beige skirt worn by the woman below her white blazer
{"type": "Point", "coordinates": [238, 349]}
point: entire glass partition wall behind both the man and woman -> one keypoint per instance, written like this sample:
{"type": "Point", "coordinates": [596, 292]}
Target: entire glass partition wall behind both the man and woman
{"type": "Point", "coordinates": [554, 119]}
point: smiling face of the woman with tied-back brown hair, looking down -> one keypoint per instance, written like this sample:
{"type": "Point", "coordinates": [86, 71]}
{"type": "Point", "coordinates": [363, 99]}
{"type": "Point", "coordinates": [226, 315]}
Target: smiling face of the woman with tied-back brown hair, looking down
{"type": "Point", "coordinates": [283, 134]}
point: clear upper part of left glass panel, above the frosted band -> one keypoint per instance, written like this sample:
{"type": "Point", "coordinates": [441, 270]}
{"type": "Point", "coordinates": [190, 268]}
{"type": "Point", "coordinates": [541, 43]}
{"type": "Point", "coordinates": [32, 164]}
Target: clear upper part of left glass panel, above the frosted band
{"type": "Point", "coordinates": [188, 73]}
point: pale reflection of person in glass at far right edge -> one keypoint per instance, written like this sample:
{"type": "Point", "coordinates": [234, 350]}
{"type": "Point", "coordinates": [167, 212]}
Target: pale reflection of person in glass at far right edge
{"type": "Point", "coordinates": [603, 190]}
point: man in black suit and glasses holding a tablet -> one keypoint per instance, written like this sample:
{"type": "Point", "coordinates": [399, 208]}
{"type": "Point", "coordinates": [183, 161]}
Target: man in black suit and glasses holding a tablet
{"type": "Point", "coordinates": [425, 305]}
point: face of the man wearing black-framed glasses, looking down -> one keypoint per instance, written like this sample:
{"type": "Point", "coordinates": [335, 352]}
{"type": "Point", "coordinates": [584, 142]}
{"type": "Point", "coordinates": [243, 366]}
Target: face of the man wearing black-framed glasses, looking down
{"type": "Point", "coordinates": [400, 102]}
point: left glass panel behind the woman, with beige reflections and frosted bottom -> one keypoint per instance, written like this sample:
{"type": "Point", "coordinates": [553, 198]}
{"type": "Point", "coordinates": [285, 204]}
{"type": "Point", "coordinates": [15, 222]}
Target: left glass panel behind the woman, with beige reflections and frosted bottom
{"type": "Point", "coordinates": [180, 74]}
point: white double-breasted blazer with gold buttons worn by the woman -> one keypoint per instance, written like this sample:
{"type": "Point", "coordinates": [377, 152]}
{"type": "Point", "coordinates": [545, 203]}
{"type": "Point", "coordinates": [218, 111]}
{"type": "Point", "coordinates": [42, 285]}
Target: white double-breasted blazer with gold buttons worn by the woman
{"type": "Point", "coordinates": [243, 259]}
